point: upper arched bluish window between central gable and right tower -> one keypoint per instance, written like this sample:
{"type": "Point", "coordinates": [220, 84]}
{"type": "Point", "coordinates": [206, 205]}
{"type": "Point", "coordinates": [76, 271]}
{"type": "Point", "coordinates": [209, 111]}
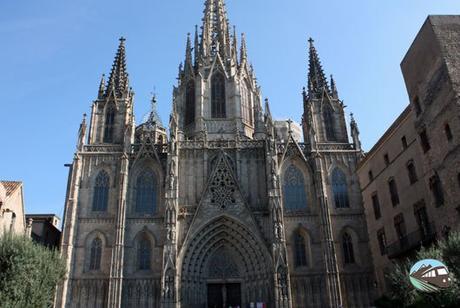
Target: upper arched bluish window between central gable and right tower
{"type": "Point", "coordinates": [294, 195]}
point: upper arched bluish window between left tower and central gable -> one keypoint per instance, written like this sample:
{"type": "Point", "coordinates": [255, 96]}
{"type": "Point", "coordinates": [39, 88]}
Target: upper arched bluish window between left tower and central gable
{"type": "Point", "coordinates": [146, 196]}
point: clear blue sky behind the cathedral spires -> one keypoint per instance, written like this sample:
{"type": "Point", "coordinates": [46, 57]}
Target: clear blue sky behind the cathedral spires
{"type": "Point", "coordinates": [53, 54]}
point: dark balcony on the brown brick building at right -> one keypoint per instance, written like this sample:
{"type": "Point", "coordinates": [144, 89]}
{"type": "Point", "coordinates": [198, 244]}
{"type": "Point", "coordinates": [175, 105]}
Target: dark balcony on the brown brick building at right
{"type": "Point", "coordinates": [413, 240]}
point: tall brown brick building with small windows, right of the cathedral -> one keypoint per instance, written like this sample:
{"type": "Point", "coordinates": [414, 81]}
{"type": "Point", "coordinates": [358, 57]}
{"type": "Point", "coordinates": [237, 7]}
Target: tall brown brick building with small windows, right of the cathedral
{"type": "Point", "coordinates": [410, 179]}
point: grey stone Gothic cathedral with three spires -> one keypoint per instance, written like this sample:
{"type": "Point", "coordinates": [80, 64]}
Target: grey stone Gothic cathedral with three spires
{"type": "Point", "coordinates": [225, 207]}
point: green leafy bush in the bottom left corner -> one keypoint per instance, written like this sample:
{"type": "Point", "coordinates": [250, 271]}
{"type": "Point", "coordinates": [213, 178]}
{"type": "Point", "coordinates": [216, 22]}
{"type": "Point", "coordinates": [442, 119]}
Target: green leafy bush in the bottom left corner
{"type": "Point", "coordinates": [29, 273]}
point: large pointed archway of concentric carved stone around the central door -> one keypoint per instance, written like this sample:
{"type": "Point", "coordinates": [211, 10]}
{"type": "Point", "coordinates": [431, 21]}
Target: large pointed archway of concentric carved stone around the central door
{"type": "Point", "coordinates": [247, 262]}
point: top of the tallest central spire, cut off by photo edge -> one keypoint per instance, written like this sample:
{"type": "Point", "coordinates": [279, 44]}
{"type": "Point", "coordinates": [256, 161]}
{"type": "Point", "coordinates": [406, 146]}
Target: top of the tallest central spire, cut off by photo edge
{"type": "Point", "coordinates": [215, 36]}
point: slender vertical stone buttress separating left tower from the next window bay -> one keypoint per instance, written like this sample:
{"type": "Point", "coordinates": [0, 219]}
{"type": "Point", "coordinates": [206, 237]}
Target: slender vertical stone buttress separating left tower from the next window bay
{"type": "Point", "coordinates": [116, 264]}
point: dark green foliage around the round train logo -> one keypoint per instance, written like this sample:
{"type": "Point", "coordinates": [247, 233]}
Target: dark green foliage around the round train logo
{"type": "Point", "coordinates": [403, 294]}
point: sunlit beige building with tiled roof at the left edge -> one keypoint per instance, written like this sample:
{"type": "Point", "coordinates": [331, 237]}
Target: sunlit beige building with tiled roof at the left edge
{"type": "Point", "coordinates": [11, 207]}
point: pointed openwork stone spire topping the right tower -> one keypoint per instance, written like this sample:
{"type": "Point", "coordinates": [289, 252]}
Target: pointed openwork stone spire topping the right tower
{"type": "Point", "coordinates": [317, 82]}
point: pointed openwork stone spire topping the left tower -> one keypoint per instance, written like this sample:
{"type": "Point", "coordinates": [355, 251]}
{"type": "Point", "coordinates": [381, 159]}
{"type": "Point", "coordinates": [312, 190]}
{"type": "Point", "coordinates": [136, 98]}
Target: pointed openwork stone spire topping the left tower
{"type": "Point", "coordinates": [118, 80]}
